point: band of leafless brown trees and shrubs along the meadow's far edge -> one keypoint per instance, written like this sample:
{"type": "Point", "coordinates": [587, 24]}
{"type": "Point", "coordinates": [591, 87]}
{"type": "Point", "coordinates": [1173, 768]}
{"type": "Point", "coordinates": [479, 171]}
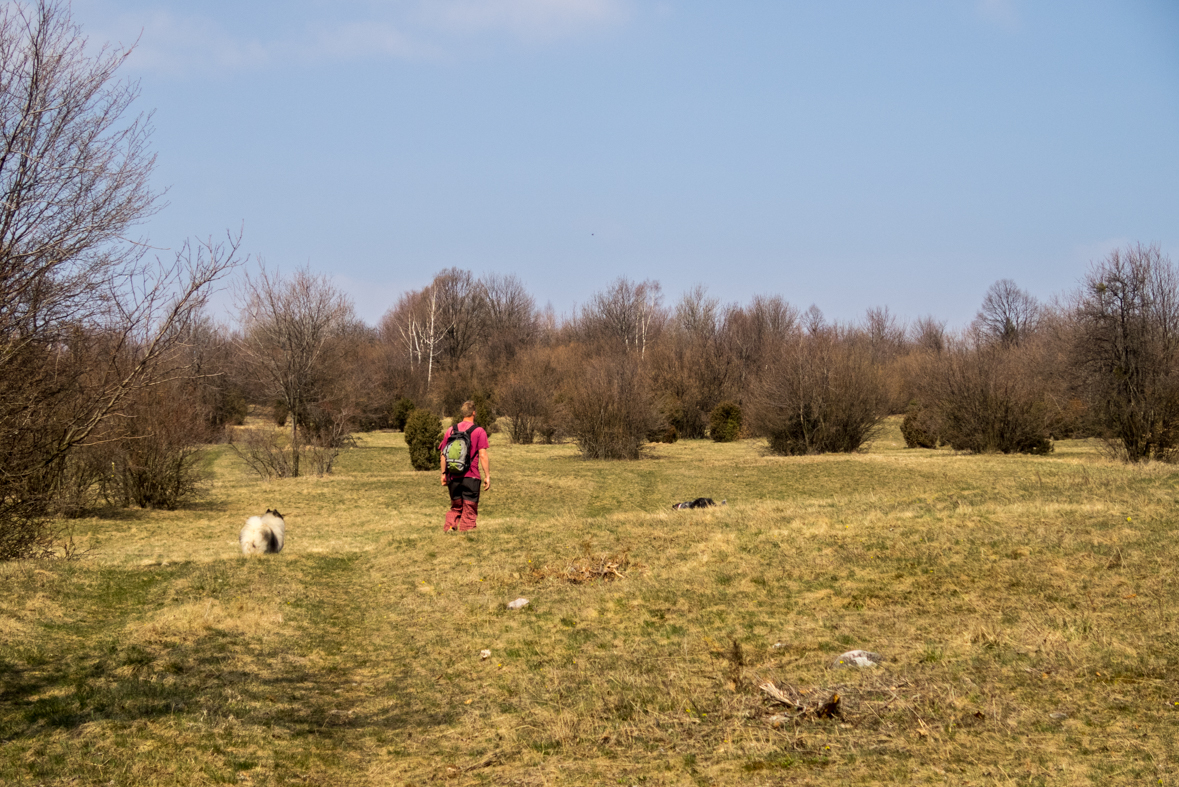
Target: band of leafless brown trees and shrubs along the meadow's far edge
{"type": "Point", "coordinates": [628, 369]}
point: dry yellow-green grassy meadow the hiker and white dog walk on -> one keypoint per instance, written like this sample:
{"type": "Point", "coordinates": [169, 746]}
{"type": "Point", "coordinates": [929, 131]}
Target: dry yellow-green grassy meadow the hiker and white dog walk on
{"type": "Point", "coordinates": [1026, 607]}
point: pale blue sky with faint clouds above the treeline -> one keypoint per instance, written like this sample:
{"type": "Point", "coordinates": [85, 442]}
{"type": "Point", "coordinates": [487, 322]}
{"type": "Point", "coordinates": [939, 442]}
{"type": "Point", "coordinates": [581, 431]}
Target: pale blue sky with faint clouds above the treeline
{"type": "Point", "coordinates": [842, 154]}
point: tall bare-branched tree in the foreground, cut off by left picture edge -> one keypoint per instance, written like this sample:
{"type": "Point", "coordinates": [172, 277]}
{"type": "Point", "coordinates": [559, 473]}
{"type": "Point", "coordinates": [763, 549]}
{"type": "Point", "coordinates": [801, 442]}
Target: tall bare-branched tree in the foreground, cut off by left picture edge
{"type": "Point", "coordinates": [85, 322]}
